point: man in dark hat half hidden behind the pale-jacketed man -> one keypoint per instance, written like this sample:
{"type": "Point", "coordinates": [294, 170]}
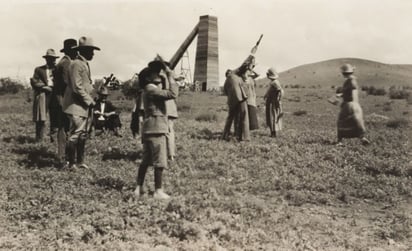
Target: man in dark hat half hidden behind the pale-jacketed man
{"type": "Point", "coordinates": [61, 78]}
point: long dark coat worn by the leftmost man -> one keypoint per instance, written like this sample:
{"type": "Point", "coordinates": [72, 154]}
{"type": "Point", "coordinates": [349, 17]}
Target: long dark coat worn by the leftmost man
{"type": "Point", "coordinates": [41, 97]}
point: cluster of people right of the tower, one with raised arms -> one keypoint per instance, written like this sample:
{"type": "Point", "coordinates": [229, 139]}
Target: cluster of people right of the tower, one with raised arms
{"type": "Point", "coordinates": [240, 89]}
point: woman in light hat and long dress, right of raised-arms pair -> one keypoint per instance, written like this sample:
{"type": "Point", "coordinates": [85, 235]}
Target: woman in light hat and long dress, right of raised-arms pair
{"type": "Point", "coordinates": [273, 102]}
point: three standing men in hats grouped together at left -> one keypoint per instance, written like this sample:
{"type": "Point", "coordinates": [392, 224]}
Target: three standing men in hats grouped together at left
{"type": "Point", "coordinates": [64, 92]}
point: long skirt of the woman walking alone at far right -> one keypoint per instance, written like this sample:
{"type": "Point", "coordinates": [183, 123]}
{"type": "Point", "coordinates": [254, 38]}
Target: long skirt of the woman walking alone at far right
{"type": "Point", "coordinates": [350, 121]}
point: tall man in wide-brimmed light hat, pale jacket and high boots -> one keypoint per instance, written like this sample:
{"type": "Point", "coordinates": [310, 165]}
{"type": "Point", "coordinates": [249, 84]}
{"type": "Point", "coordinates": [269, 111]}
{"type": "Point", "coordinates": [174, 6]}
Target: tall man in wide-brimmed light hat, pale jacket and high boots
{"type": "Point", "coordinates": [77, 101]}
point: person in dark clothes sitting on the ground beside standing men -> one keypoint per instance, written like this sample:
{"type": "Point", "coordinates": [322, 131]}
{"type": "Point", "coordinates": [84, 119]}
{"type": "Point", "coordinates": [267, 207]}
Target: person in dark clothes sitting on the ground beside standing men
{"type": "Point", "coordinates": [106, 116]}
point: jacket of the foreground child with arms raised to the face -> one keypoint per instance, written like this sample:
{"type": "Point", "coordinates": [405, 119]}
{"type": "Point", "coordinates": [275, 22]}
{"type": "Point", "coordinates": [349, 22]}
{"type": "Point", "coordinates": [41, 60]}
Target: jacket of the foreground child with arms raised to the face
{"type": "Point", "coordinates": [156, 121]}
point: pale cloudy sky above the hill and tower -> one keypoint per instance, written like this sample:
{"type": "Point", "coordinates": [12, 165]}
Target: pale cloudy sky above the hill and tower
{"type": "Point", "coordinates": [131, 33]}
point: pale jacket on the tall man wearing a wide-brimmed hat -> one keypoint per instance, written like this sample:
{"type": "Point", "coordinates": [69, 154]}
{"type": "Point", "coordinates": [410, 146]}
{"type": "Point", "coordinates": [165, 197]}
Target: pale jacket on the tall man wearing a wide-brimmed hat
{"type": "Point", "coordinates": [77, 96]}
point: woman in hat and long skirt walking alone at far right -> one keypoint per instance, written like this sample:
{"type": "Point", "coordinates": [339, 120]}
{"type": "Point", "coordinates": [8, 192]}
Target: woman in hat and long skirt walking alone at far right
{"type": "Point", "coordinates": [350, 120]}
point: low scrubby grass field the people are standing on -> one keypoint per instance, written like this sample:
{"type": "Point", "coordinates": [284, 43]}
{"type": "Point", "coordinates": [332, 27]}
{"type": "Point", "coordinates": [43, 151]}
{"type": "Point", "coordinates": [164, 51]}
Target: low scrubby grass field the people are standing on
{"type": "Point", "coordinates": [295, 192]}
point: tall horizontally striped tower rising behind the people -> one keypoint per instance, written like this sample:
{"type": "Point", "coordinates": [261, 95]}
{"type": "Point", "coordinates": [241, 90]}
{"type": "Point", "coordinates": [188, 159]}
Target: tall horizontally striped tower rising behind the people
{"type": "Point", "coordinates": [207, 54]}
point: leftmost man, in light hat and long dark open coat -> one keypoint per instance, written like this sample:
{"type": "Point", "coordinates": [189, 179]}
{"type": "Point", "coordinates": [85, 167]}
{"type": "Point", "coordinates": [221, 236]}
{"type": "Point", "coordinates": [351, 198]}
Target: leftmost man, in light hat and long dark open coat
{"type": "Point", "coordinates": [42, 84]}
